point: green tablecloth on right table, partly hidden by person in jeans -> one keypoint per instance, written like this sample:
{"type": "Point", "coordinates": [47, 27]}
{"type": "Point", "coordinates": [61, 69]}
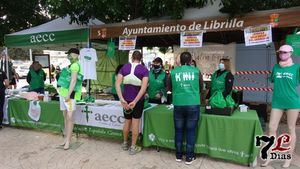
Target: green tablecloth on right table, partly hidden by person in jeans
{"type": "Point", "coordinates": [226, 137]}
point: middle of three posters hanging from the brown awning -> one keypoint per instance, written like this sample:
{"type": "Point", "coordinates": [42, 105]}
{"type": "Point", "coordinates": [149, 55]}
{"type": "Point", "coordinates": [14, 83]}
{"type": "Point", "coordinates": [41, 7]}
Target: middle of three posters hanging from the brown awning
{"type": "Point", "coordinates": [191, 39]}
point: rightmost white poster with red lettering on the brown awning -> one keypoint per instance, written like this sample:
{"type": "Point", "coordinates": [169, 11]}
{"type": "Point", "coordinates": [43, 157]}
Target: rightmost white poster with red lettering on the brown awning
{"type": "Point", "coordinates": [258, 35]}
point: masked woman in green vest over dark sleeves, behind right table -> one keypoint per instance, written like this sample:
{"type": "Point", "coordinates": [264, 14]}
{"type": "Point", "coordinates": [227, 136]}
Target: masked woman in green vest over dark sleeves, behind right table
{"type": "Point", "coordinates": [221, 80]}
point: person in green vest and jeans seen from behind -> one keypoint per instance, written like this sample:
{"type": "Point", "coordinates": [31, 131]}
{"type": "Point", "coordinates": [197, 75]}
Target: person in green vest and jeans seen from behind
{"type": "Point", "coordinates": [186, 85]}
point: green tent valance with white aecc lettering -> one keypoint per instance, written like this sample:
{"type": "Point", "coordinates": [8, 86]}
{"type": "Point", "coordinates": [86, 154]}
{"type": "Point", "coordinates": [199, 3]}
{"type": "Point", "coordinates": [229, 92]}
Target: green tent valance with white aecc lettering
{"type": "Point", "coordinates": [42, 38]}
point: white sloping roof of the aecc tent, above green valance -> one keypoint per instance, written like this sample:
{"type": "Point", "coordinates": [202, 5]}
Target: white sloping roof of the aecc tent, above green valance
{"type": "Point", "coordinates": [59, 24]}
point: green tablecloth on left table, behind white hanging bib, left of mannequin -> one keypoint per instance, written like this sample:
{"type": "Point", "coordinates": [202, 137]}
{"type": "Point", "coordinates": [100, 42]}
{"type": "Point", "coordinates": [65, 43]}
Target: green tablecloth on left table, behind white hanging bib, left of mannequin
{"type": "Point", "coordinates": [51, 117]}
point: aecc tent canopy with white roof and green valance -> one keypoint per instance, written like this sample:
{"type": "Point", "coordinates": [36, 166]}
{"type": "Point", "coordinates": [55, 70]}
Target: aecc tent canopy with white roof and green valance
{"type": "Point", "coordinates": [57, 34]}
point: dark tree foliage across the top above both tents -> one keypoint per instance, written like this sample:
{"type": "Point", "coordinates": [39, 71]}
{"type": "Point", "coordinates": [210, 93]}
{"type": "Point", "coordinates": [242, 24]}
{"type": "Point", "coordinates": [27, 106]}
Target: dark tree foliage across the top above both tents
{"type": "Point", "coordinates": [16, 15]}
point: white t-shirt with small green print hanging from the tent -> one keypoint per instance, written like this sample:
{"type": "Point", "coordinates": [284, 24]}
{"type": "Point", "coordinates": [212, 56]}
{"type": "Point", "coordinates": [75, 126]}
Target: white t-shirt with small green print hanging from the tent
{"type": "Point", "coordinates": [88, 59]}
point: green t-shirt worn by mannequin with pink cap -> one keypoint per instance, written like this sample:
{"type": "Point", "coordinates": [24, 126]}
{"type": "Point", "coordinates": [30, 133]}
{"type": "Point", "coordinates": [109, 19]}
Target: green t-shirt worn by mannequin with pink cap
{"type": "Point", "coordinates": [286, 80]}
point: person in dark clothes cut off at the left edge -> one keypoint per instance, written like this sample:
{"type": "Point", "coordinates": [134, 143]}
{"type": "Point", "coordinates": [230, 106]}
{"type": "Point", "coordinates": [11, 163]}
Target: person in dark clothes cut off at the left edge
{"type": "Point", "coordinates": [3, 85]}
